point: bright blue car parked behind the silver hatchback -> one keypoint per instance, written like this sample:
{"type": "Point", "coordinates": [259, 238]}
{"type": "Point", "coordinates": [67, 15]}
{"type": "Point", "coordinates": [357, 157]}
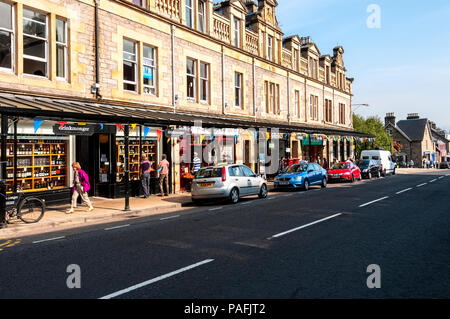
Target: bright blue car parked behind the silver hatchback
{"type": "Point", "coordinates": [302, 176]}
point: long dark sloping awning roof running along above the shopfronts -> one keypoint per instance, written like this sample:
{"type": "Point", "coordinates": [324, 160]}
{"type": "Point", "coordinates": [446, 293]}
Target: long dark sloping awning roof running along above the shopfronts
{"type": "Point", "coordinates": [41, 107]}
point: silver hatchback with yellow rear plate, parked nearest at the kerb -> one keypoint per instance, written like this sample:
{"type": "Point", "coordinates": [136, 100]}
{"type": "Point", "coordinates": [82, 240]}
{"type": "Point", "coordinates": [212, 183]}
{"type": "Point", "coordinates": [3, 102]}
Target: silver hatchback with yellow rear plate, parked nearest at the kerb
{"type": "Point", "coordinates": [227, 181]}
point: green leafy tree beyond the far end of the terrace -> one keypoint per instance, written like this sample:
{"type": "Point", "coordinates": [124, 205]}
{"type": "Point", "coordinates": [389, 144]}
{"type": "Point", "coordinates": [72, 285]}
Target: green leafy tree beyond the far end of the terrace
{"type": "Point", "coordinates": [372, 125]}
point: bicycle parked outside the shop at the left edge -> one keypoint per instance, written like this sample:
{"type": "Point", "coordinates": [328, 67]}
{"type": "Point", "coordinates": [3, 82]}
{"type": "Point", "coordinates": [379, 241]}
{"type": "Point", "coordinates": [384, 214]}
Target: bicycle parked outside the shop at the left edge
{"type": "Point", "coordinates": [27, 209]}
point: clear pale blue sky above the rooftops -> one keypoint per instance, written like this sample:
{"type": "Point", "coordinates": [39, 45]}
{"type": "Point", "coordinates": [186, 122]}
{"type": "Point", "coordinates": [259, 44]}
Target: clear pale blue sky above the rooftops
{"type": "Point", "coordinates": [402, 66]}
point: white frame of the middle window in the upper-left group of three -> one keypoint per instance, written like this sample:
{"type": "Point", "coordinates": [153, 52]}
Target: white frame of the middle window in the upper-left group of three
{"type": "Point", "coordinates": [46, 41]}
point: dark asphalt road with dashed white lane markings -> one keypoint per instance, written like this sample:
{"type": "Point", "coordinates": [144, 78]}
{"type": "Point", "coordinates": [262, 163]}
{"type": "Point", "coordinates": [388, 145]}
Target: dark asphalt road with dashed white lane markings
{"type": "Point", "coordinates": [315, 244]}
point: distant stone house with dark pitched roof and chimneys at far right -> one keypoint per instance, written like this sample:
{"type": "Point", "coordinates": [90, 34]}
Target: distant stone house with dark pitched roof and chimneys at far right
{"type": "Point", "coordinates": [419, 138]}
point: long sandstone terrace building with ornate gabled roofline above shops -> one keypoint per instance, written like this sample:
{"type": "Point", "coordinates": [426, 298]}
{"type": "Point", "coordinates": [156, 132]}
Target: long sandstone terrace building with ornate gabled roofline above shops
{"type": "Point", "coordinates": [165, 64]}
